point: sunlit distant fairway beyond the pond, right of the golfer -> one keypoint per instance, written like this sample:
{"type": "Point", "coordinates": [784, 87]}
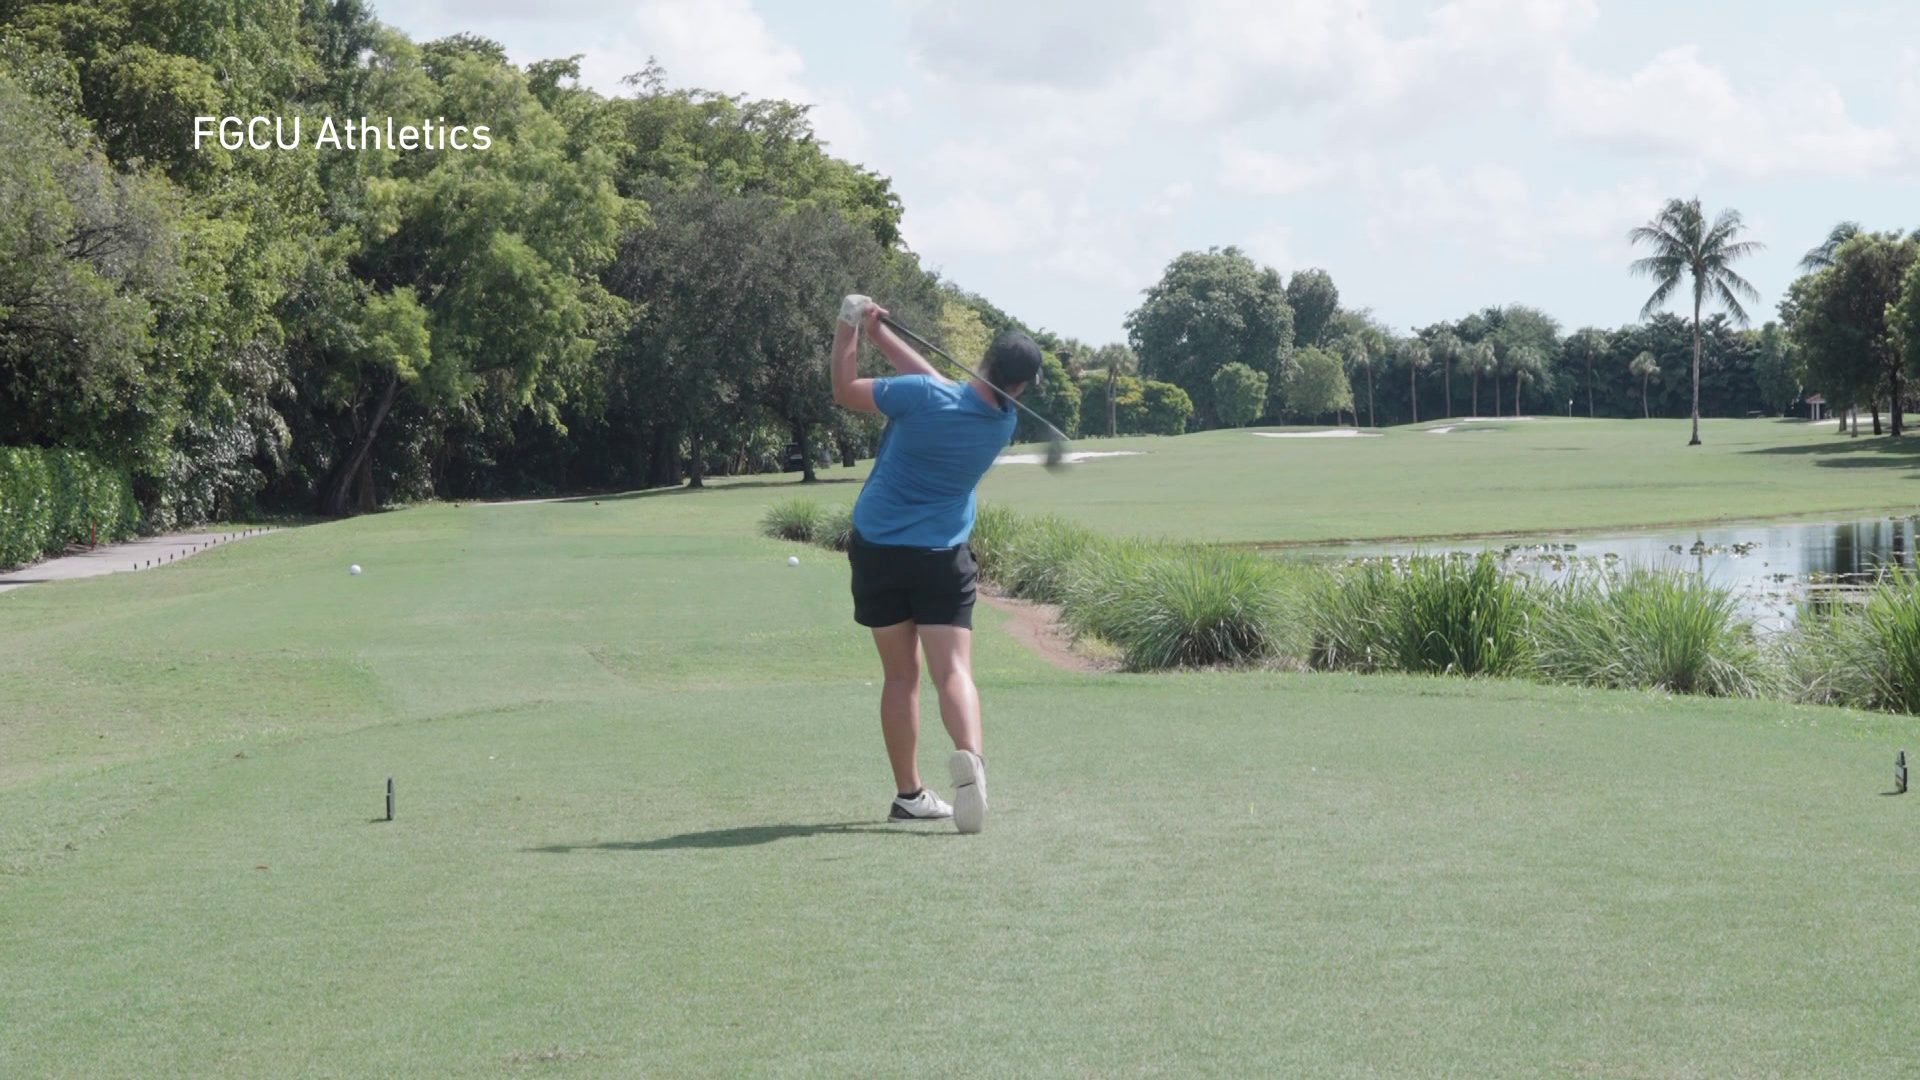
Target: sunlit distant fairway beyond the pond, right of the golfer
{"type": "Point", "coordinates": [1483, 478]}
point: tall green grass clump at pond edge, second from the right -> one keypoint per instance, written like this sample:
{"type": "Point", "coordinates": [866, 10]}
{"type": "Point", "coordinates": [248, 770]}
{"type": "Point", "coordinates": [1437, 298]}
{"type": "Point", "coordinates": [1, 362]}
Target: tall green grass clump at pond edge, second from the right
{"type": "Point", "coordinates": [1648, 629]}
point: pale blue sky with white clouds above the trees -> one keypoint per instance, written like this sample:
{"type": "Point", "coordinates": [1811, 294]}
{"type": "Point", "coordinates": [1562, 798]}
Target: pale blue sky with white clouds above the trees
{"type": "Point", "coordinates": [1435, 159]}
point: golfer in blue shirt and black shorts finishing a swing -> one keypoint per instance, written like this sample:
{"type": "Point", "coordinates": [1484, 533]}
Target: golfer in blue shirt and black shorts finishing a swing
{"type": "Point", "coordinates": [913, 574]}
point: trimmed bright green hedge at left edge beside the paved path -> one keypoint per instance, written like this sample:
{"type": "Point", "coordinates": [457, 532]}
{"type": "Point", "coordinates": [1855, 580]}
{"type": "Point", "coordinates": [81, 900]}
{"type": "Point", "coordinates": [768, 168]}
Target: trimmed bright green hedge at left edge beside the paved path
{"type": "Point", "coordinates": [49, 499]}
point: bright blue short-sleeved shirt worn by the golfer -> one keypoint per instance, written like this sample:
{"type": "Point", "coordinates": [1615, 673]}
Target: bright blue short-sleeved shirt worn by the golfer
{"type": "Point", "coordinates": [942, 439]}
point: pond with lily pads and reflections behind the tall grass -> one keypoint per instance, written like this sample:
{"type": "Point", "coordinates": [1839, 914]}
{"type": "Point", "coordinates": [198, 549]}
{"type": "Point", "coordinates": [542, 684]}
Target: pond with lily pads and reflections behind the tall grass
{"type": "Point", "coordinates": [1769, 566]}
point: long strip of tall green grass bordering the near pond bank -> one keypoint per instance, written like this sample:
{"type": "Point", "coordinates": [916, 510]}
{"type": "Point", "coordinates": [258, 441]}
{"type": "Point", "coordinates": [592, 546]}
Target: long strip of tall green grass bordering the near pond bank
{"type": "Point", "coordinates": [1178, 604]}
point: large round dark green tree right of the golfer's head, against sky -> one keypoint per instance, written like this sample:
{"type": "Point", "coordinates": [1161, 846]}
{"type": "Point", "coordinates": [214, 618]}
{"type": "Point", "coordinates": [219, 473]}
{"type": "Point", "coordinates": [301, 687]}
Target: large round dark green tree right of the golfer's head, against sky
{"type": "Point", "coordinates": [1211, 310]}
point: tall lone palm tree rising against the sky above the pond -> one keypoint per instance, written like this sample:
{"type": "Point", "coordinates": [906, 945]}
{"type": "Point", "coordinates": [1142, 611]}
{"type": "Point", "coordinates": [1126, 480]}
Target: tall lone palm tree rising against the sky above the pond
{"type": "Point", "coordinates": [1687, 247]}
